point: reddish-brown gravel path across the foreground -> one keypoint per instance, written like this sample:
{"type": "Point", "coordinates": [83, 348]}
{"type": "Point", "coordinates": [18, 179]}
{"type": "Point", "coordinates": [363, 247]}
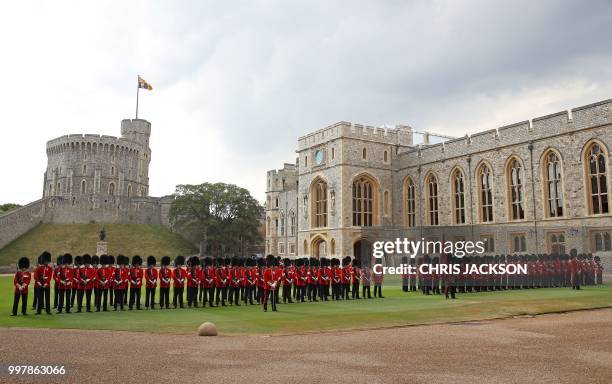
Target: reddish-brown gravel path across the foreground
{"type": "Point", "coordinates": [561, 348]}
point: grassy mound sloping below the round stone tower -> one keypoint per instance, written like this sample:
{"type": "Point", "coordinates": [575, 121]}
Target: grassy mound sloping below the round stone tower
{"type": "Point", "coordinates": [127, 239]}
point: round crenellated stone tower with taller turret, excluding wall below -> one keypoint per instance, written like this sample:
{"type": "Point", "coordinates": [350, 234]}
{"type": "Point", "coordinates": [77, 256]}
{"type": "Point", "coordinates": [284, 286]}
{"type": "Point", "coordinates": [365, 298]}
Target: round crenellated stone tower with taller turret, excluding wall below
{"type": "Point", "coordinates": [105, 166]}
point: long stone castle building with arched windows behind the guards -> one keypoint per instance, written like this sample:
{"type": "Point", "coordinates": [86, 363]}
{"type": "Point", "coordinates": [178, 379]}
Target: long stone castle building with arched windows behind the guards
{"type": "Point", "coordinates": [538, 186]}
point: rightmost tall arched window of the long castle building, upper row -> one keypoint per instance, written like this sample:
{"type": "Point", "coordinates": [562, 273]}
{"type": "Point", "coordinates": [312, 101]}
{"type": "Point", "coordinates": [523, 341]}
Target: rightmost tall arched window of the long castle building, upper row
{"type": "Point", "coordinates": [596, 161]}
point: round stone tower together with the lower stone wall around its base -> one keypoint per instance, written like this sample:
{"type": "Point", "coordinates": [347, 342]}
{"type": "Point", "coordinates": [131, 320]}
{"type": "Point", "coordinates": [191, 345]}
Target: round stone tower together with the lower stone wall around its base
{"type": "Point", "coordinates": [93, 178]}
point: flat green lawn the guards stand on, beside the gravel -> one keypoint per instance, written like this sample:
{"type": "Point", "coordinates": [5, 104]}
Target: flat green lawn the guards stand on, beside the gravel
{"type": "Point", "coordinates": [396, 309]}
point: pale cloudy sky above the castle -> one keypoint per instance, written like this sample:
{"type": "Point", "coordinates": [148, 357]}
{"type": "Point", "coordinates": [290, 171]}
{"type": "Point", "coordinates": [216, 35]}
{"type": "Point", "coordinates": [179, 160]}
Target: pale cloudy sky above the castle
{"type": "Point", "coordinates": [236, 82]}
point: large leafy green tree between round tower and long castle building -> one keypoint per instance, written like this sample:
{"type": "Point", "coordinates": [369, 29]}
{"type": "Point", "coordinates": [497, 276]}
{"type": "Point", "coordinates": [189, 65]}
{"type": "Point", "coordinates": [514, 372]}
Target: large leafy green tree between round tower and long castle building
{"type": "Point", "coordinates": [217, 216]}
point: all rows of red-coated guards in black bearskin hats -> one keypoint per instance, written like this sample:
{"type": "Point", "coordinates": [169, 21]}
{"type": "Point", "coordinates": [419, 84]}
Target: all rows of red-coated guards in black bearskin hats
{"type": "Point", "coordinates": [92, 282]}
